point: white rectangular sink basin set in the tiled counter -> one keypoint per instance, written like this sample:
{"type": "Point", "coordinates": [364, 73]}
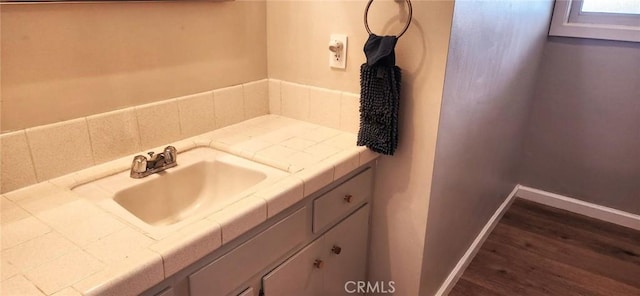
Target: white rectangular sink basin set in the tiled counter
{"type": "Point", "coordinates": [205, 181]}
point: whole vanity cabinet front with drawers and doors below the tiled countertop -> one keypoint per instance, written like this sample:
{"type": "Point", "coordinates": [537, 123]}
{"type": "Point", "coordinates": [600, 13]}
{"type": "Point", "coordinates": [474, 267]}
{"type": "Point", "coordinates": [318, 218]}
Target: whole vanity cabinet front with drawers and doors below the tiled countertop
{"type": "Point", "coordinates": [313, 248]}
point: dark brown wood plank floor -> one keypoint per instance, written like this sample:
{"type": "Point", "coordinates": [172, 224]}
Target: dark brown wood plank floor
{"type": "Point", "coordinates": [540, 250]}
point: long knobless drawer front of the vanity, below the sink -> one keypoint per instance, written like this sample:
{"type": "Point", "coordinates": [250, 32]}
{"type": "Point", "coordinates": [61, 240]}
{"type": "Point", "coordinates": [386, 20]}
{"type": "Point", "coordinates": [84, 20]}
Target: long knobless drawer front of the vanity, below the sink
{"type": "Point", "coordinates": [228, 272]}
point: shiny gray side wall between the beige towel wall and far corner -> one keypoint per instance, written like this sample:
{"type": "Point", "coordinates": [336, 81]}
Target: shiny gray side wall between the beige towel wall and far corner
{"type": "Point", "coordinates": [494, 52]}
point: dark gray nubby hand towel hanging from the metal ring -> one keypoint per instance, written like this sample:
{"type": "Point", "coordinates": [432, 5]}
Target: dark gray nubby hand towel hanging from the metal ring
{"type": "Point", "coordinates": [379, 96]}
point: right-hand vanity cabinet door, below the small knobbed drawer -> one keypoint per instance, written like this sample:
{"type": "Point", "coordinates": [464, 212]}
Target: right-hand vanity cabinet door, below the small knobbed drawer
{"type": "Point", "coordinates": [346, 253]}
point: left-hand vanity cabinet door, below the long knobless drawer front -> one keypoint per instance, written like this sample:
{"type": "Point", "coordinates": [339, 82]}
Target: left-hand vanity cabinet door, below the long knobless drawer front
{"type": "Point", "coordinates": [299, 275]}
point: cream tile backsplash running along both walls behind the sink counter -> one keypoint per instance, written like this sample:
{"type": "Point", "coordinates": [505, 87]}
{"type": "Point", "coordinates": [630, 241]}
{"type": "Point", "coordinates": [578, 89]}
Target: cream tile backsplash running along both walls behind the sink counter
{"type": "Point", "coordinates": [46, 152]}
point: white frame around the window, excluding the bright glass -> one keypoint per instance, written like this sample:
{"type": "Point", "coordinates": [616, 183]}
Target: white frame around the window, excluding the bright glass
{"type": "Point", "coordinates": [568, 21]}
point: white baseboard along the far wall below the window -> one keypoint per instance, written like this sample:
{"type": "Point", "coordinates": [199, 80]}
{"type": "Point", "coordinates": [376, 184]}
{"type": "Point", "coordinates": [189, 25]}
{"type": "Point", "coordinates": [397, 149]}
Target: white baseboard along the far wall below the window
{"type": "Point", "coordinates": [580, 207]}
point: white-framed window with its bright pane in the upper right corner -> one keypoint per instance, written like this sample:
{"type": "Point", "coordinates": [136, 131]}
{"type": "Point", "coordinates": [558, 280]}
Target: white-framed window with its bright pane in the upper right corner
{"type": "Point", "coordinates": [599, 19]}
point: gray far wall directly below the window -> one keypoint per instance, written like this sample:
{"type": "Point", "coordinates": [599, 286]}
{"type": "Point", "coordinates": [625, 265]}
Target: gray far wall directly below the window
{"type": "Point", "coordinates": [584, 134]}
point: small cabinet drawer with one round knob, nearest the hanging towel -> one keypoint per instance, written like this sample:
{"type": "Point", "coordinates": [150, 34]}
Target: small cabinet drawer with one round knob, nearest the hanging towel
{"type": "Point", "coordinates": [340, 201]}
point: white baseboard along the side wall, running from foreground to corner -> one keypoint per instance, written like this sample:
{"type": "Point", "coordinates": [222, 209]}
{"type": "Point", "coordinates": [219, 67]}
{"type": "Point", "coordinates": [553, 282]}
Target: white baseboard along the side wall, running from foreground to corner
{"type": "Point", "coordinates": [466, 259]}
